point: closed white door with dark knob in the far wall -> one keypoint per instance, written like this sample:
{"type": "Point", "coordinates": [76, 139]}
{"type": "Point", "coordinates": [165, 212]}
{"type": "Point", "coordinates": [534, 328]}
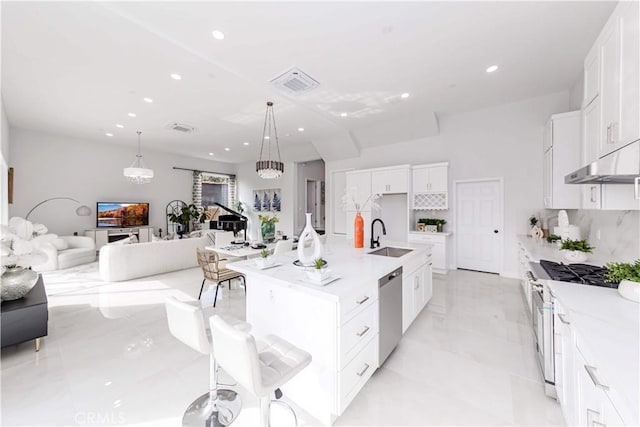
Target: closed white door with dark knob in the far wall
{"type": "Point", "coordinates": [479, 225]}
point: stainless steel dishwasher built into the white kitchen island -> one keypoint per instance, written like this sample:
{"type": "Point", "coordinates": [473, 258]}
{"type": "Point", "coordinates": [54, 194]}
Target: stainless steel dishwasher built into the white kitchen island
{"type": "Point", "coordinates": [390, 313]}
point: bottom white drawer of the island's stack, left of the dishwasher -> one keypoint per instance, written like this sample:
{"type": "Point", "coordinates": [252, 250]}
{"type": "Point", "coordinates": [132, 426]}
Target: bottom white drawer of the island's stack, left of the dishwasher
{"type": "Point", "coordinates": [357, 372]}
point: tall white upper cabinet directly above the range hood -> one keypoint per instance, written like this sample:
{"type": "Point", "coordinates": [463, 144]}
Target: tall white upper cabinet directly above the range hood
{"type": "Point", "coordinates": [619, 46]}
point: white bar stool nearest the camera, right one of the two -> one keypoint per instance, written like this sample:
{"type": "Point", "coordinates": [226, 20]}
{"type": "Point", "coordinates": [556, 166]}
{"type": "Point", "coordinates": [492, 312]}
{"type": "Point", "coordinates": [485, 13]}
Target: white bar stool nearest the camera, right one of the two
{"type": "Point", "coordinates": [261, 367]}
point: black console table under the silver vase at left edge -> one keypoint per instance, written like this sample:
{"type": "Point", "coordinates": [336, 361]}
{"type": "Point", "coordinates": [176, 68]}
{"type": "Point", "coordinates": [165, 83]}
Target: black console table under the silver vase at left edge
{"type": "Point", "coordinates": [26, 318]}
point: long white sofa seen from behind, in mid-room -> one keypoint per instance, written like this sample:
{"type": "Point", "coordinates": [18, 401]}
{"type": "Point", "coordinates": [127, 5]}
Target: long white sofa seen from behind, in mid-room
{"type": "Point", "coordinates": [125, 262]}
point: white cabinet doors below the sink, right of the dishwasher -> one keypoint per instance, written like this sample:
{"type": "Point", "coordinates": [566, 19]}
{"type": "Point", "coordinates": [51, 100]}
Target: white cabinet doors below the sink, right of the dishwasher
{"type": "Point", "coordinates": [417, 290]}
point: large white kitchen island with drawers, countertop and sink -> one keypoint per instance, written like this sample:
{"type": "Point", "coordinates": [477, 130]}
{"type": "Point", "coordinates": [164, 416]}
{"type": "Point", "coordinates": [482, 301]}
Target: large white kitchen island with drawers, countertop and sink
{"type": "Point", "coordinates": [337, 323]}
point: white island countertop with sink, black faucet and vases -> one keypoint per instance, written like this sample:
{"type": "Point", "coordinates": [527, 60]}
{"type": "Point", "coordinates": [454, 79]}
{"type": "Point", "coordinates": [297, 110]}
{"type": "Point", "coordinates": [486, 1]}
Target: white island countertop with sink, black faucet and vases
{"type": "Point", "coordinates": [354, 266]}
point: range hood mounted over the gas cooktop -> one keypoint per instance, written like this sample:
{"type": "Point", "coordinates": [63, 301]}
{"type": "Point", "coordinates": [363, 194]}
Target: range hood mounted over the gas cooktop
{"type": "Point", "coordinates": [619, 167]}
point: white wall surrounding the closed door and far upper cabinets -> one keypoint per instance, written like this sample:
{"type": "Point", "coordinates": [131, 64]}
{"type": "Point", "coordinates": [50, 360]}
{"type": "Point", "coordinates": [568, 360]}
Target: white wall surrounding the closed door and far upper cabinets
{"type": "Point", "coordinates": [503, 141]}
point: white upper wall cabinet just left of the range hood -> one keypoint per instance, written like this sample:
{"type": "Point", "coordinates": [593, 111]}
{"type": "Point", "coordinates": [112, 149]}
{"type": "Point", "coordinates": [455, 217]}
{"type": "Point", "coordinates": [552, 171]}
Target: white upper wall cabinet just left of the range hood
{"type": "Point", "coordinates": [562, 137]}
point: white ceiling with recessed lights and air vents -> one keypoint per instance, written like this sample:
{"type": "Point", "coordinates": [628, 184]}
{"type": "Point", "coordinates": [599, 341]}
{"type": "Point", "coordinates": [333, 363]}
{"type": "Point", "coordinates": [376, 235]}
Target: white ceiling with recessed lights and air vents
{"type": "Point", "coordinates": [78, 68]}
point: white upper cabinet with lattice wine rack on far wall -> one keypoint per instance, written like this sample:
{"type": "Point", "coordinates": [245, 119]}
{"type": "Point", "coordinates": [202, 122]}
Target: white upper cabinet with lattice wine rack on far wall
{"type": "Point", "coordinates": [431, 186]}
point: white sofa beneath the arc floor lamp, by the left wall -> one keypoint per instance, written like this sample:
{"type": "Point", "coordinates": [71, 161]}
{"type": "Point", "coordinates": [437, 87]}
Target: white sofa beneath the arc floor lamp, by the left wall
{"type": "Point", "coordinates": [80, 250]}
